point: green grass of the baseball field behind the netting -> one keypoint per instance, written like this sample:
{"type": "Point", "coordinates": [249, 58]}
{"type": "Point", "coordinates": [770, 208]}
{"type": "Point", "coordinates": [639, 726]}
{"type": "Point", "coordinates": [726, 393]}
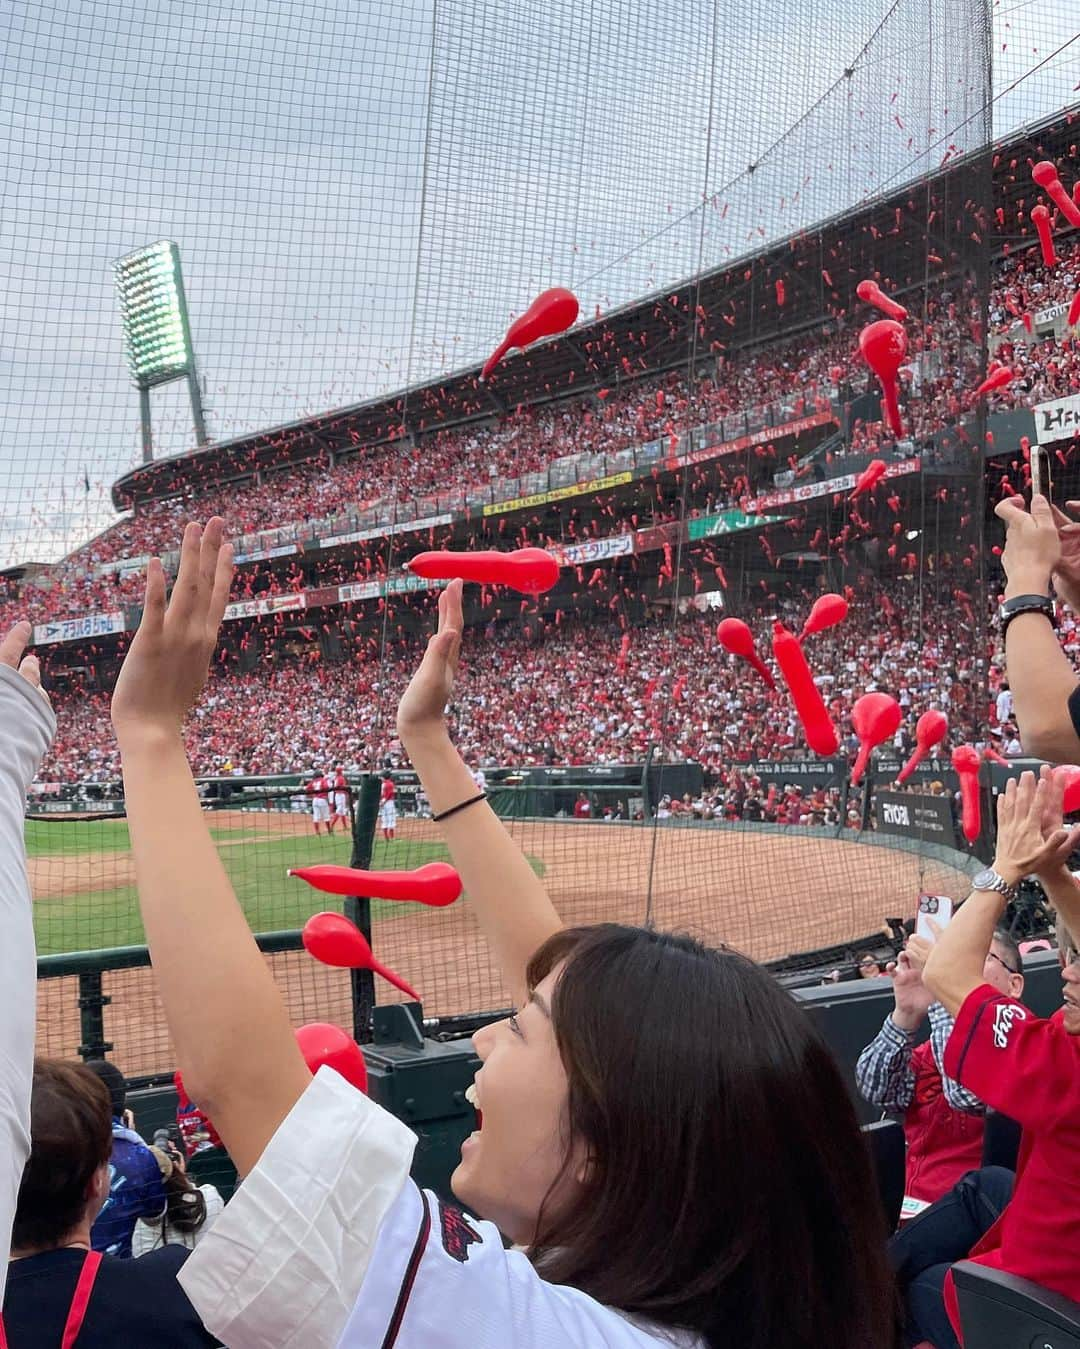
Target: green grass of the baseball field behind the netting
{"type": "Point", "coordinates": [257, 864]}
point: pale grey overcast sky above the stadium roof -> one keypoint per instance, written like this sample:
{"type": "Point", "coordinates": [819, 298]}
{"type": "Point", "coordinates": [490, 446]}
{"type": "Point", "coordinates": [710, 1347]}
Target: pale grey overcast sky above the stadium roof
{"type": "Point", "coordinates": [363, 192]}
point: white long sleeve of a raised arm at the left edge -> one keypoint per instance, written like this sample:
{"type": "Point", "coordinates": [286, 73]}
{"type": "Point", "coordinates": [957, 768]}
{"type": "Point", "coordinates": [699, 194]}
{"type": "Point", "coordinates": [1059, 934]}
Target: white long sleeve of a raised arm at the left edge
{"type": "Point", "coordinates": [28, 726]}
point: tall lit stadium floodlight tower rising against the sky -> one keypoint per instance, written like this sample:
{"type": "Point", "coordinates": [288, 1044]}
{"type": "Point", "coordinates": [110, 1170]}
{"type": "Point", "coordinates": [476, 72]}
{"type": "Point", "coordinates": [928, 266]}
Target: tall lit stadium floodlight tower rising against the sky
{"type": "Point", "coordinates": [157, 334]}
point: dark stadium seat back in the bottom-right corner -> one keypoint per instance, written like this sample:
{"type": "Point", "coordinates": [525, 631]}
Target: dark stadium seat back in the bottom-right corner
{"type": "Point", "coordinates": [1002, 1312]}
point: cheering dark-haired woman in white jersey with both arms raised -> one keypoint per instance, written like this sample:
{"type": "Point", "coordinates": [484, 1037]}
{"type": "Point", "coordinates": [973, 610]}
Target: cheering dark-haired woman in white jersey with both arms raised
{"type": "Point", "coordinates": [661, 1132]}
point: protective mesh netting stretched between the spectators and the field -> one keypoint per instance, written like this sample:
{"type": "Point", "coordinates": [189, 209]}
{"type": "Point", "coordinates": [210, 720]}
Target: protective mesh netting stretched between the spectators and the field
{"type": "Point", "coordinates": [362, 199]}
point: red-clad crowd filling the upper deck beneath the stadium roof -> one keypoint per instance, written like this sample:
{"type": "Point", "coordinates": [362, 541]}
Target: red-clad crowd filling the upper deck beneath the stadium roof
{"type": "Point", "coordinates": [804, 376]}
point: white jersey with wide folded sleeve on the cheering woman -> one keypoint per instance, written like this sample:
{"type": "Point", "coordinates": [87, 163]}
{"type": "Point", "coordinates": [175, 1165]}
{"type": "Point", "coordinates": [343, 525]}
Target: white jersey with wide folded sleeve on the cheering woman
{"type": "Point", "coordinates": [330, 1246]}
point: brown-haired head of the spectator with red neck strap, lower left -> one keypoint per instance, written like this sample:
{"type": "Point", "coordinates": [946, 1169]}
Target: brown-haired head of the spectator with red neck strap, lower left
{"type": "Point", "coordinates": [67, 1178]}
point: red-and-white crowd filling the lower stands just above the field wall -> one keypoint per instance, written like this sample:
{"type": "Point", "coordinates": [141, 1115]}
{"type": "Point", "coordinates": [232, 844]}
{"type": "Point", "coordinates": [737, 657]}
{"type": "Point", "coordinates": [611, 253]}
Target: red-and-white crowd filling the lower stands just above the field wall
{"type": "Point", "coordinates": [671, 687]}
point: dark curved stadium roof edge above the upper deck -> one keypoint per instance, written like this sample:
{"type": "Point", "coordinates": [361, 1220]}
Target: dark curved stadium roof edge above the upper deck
{"type": "Point", "coordinates": [385, 413]}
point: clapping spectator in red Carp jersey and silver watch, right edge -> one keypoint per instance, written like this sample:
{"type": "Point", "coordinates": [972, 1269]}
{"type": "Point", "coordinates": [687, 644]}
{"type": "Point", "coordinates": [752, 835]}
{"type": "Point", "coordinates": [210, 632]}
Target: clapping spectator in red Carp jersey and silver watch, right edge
{"type": "Point", "coordinates": [1025, 1066]}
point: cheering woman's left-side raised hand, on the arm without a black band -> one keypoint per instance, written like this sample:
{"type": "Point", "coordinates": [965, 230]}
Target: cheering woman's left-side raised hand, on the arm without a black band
{"type": "Point", "coordinates": [171, 656]}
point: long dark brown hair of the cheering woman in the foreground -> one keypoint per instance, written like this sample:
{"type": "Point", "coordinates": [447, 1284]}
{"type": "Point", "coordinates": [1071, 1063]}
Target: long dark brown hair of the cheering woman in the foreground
{"type": "Point", "coordinates": [729, 1190]}
